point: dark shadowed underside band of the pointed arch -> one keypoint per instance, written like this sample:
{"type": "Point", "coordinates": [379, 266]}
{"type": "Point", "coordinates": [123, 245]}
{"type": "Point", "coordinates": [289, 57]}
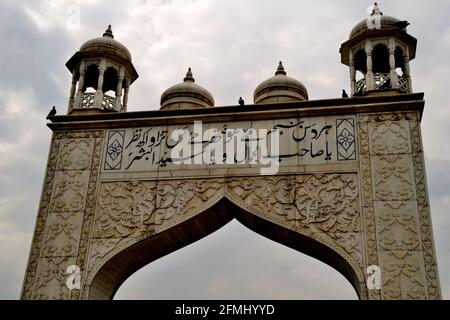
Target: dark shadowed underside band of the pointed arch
{"type": "Point", "coordinates": [113, 273]}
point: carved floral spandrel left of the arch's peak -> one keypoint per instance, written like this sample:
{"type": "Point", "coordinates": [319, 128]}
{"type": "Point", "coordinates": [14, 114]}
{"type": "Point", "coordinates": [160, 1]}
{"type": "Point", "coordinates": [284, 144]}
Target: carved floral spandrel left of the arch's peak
{"type": "Point", "coordinates": [131, 208]}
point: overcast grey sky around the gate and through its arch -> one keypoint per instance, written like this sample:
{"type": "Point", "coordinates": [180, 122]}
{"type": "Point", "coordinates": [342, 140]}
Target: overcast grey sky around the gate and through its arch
{"type": "Point", "coordinates": [231, 46]}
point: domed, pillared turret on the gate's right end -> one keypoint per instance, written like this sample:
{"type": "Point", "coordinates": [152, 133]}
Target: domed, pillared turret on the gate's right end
{"type": "Point", "coordinates": [379, 50]}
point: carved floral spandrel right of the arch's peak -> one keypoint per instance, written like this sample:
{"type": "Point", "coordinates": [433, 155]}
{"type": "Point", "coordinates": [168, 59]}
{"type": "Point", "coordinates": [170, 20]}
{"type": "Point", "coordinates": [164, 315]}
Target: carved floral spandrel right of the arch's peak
{"type": "Point", "coordinates": [326, 205]}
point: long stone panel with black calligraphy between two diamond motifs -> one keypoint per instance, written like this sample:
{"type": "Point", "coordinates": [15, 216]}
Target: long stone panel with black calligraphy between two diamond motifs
{"type": "Point", "coordinates": [301, 142]}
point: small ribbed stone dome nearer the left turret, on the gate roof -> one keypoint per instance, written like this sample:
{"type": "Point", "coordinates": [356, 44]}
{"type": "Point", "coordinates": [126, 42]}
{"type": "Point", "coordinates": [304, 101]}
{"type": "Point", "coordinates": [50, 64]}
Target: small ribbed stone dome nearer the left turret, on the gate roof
{"type": "Point", "coordinates": [186, 95]}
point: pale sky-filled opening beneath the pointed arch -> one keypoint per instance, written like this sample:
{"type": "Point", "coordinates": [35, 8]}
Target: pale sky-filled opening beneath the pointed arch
{"type": "Point", "coordinates": [235, 263]}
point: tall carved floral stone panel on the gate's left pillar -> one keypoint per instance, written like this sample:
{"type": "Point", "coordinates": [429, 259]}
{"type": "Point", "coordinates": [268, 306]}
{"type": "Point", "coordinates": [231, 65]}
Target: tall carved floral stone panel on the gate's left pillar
{"type": "Point", "coordinates": [68, 191]}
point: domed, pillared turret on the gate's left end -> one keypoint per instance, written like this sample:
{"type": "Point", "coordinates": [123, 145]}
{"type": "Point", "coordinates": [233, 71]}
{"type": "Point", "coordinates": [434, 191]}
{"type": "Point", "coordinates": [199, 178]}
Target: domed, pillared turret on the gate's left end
{"type": "Point", "coordinates": [101, 65]}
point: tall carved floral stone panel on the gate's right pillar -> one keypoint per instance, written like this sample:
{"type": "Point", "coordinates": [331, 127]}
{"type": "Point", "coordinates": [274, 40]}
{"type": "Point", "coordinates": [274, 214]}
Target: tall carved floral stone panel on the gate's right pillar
{"type": "Point", "coordinates": [396, 210]}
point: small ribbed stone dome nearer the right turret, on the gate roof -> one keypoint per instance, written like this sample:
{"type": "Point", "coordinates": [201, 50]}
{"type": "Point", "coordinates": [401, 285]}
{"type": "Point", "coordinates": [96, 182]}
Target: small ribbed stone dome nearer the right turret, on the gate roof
{"type": "Point", "coordinates": [280, 88]}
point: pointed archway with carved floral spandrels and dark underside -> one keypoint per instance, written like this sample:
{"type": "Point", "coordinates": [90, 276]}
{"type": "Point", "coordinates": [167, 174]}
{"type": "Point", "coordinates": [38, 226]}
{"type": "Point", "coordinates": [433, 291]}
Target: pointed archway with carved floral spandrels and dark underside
{"type": "Point", "coordinates": [193, 209]}
